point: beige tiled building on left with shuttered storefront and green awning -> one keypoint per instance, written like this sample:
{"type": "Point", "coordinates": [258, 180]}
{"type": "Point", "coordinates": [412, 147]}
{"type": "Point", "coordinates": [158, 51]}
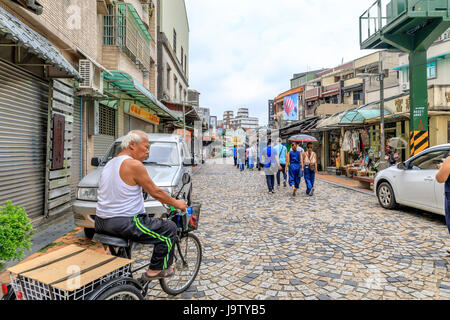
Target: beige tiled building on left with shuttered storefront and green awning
{"type": "Point", "coordinates": [80, 74]}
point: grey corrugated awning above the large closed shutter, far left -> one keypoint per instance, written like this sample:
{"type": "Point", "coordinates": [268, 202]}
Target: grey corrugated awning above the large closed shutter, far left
{"type": "Point", "coordinates": [15, 30]}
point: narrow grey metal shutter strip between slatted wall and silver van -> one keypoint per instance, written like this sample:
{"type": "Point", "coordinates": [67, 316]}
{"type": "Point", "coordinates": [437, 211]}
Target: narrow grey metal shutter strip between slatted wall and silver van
{"type": "Point", "coordinates": [76, 148]}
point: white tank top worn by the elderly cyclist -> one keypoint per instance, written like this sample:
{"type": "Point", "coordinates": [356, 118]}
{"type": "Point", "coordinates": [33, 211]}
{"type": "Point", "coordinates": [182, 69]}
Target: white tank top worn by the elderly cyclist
{"type": "Point", "coordinates": [115, 197]}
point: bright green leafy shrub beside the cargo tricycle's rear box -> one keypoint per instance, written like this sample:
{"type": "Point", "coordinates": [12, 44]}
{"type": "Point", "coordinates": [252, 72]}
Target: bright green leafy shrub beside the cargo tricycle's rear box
{"type": "Point", "coordinates": [15, 232]}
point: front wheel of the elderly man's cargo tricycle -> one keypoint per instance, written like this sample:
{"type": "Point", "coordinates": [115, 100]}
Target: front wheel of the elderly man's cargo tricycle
{"type": "Point", "coordinates": [185, 273]}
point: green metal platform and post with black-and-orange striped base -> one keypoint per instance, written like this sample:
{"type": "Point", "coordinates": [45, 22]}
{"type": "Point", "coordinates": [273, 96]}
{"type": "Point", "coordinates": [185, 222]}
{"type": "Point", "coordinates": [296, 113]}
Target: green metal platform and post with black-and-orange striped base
{"type": "Point", "coordinates": [410, 26]}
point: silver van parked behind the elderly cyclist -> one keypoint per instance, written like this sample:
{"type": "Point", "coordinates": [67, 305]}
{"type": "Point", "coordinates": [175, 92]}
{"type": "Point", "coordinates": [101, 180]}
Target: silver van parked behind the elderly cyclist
{"type": "Point", "coordinates": [169, 159]}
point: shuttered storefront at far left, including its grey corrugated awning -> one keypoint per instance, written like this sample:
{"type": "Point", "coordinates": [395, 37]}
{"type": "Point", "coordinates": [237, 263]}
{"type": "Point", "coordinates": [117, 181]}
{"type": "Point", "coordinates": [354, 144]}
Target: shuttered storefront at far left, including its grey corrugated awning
{"type": "Point", "coordinates": [36, 121]}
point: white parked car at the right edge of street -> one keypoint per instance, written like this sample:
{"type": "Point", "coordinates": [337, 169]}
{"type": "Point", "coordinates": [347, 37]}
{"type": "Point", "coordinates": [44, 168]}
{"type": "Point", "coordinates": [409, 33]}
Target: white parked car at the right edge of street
{"type": "Point", "coordinates": [413, 182]}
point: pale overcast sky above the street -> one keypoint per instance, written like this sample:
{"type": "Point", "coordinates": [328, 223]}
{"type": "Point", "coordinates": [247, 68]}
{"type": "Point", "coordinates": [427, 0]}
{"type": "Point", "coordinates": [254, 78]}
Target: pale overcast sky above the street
{"type": "Point", "coordinates": [244, 52]}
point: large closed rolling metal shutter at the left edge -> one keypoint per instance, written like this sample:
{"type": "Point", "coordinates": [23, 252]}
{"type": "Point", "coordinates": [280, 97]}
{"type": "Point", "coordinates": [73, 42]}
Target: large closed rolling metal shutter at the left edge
{"type": "Point", "coordinates": [23, 135]}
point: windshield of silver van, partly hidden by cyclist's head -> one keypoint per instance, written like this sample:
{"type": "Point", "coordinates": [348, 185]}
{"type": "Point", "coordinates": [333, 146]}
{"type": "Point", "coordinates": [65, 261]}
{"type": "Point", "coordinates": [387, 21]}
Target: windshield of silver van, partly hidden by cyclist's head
{"type": "Point", "coordinates": [161, 153]}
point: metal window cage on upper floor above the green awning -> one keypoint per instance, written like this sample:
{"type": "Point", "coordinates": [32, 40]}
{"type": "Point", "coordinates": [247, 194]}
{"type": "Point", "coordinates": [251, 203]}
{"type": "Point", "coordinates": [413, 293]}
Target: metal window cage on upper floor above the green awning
{"type": "Point", "coordinates": [123, 28]}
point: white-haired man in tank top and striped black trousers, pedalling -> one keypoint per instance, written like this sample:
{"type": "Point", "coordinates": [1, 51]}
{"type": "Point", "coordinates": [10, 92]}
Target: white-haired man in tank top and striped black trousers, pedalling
{"type": "Point", "coordinates": [120, 206]}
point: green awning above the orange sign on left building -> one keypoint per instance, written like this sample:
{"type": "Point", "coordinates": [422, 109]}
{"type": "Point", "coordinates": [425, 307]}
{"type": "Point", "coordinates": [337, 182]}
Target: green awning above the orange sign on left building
{"type": "Point", "coordinates": [126, 84]}
